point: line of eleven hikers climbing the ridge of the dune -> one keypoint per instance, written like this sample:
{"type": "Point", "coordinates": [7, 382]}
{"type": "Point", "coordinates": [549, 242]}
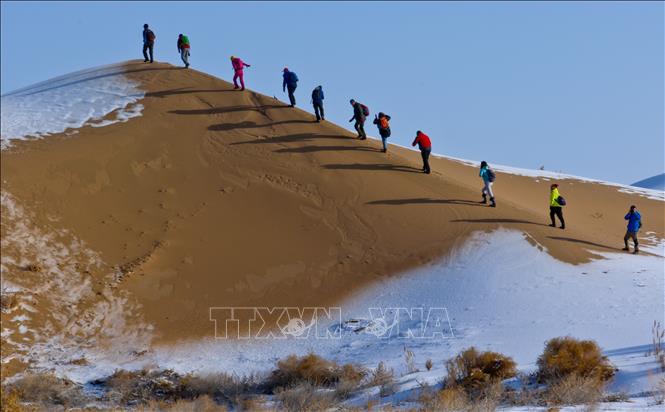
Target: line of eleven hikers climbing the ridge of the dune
{"type": "Point", "coordinates": [382, 122]}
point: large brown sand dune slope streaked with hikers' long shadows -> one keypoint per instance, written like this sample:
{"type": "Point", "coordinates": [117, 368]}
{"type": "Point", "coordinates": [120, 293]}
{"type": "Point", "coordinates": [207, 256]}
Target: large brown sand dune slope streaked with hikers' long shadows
{"type": "Point", "coordinates": [215, 197]}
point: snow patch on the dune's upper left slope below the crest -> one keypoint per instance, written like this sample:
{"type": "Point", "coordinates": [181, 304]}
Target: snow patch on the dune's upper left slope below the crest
{"type": "Point", "coordinates": [69, 102]}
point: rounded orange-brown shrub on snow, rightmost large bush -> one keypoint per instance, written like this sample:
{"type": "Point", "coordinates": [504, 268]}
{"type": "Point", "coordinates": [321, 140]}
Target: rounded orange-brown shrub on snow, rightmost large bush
{"type": "Point", "coordinates": [566, 356]}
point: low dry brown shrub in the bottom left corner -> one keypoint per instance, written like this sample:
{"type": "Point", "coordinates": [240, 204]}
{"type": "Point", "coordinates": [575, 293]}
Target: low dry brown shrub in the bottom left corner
{"type": "Point", "coordinates": [46, 390]}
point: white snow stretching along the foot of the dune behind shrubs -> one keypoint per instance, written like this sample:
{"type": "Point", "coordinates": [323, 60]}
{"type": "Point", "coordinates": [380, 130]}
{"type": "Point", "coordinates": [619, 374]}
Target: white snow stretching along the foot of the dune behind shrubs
{"type": "Point", "coordinates": [500, 292]}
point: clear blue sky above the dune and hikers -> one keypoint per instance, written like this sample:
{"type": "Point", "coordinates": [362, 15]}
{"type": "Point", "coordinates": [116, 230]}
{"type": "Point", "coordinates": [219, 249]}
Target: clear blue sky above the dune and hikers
{"type": "Point", "coordinates": [576, 87]}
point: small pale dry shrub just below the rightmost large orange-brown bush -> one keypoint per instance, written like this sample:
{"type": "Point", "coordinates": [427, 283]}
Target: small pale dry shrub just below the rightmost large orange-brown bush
{"type": "Point", "coordinates": [574, 390]}
